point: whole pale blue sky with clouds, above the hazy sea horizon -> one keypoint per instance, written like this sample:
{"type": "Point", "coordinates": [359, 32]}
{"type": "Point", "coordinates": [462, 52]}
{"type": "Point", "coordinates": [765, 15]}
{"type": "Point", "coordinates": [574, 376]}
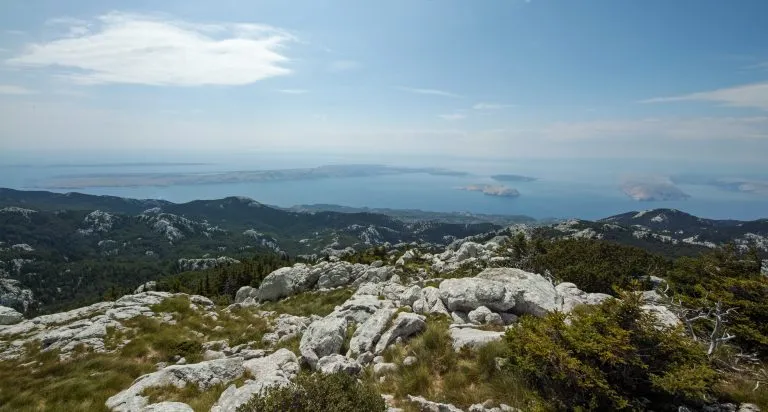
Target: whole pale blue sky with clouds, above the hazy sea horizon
{"type": "Point", "coordinates": [652, 79]}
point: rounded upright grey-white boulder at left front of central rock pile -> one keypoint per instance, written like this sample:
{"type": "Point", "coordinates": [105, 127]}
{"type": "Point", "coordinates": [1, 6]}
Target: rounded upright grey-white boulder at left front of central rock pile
{"type": "Point", "coordinates": [322, 338]}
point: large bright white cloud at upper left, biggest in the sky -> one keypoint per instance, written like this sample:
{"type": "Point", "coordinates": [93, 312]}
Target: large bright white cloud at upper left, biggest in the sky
{"type": "Point", "coordinates": [141, 49]}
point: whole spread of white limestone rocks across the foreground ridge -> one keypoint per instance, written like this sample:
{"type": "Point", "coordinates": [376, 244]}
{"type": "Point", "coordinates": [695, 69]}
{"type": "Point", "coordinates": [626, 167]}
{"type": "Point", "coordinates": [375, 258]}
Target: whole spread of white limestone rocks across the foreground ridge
{"type": "Point", "coordinates": [390, 304]}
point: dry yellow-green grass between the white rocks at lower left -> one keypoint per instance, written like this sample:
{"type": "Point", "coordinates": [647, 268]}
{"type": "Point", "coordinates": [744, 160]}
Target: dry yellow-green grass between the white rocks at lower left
{"type": "Point", "coordinates": [39, 381]}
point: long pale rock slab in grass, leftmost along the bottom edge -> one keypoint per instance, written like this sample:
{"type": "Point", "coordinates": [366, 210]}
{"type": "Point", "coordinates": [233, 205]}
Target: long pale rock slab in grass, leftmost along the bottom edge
{"type": "Point", "coordinates": [203, 374]}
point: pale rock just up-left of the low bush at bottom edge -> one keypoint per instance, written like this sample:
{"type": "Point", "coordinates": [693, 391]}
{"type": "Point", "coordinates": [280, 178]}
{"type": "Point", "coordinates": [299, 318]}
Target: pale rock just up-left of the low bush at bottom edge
{"type": "Point", "coordinates": [277, 369]}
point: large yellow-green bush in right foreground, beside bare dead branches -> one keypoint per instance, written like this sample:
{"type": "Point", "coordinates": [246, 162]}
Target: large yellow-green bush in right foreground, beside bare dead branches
{"type": "Point", "coordinates": [609, 357]}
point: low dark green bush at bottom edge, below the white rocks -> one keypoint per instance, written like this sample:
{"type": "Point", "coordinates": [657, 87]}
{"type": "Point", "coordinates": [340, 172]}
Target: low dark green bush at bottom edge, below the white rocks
{"type": "Point", "coordinates": [317, 392]}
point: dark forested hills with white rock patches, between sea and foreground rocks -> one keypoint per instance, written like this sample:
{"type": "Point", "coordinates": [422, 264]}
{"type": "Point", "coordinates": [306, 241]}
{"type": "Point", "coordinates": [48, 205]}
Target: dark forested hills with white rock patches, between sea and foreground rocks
{"type": "Point", "coordinates": [68, 248]}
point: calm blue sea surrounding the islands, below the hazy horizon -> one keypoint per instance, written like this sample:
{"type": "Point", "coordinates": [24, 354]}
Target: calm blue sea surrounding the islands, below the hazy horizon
{"type": "Point", "coordinates": [565, 188]}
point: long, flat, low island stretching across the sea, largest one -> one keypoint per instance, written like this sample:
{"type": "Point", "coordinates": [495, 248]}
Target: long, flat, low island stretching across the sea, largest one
{"type": "Point", "coordinates": [174, 179]}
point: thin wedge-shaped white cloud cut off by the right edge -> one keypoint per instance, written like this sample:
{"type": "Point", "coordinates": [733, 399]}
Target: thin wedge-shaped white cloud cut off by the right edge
{"type": "Point", "coordinates": [751, 95]}
